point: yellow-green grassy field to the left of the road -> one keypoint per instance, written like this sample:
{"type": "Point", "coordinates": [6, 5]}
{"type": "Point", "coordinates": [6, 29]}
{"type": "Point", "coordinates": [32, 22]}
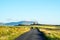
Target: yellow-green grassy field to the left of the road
{"type": "Point", "coordinates": [10, 33]}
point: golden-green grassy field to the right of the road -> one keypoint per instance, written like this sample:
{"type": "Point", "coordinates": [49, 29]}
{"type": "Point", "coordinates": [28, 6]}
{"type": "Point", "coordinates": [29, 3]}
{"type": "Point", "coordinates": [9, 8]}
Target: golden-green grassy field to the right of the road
{"type": "Point", "coordinates": [51, 32]}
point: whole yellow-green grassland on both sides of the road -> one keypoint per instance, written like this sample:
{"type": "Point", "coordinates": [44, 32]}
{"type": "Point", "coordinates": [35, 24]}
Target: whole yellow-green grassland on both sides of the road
{"type": "Point", "coordinates": [12, 32]}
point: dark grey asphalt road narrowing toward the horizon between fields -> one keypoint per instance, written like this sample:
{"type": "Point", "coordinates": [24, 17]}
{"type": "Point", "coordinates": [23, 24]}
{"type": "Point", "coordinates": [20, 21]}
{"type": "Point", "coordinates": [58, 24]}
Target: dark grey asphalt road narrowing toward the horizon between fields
{"type": "Point", "coordinates": [33, 34]}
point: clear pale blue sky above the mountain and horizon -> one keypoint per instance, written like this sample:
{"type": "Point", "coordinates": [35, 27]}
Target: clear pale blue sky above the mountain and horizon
{"type": "Point", "coordinates": [43, 11]}
